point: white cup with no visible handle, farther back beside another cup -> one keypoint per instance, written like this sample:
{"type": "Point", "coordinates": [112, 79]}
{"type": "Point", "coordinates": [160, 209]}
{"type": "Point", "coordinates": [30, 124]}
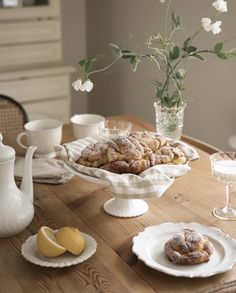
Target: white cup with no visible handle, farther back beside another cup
{"type": "Point", "coordinates": [87, 125]}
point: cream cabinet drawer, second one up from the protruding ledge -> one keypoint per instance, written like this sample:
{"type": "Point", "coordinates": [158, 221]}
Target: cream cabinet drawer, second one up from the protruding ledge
{"type": "Point", "coordinates": [26, 32]}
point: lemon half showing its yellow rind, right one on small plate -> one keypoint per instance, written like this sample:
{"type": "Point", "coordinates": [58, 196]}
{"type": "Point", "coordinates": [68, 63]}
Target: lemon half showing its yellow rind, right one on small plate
{"type": "Point", "coordinates": [71, 239]}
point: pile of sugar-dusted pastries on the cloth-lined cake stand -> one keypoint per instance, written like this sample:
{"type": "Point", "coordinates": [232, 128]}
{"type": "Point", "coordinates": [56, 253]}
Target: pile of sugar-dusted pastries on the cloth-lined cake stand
{"type": "Point", "coordinates": [131, 154]}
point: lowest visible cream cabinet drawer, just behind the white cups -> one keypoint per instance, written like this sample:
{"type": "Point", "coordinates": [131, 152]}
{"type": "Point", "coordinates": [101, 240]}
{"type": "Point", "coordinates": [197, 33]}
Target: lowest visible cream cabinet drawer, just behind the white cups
{"type": "Point", "coordinates": [56, 109]}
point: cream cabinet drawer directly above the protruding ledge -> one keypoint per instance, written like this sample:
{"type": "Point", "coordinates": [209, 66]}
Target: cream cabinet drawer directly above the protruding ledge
{"type": "Point", "coordinates": [34, 54]}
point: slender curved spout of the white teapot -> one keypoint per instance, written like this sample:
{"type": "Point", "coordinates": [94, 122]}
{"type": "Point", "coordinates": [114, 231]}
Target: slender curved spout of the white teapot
{"type": "Point", "coordinates": [27, 182]}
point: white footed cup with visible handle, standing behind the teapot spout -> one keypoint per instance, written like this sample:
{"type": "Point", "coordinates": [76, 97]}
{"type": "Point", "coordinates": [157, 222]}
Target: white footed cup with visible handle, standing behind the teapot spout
{"type": "Point", "coordinates": [46, 134]}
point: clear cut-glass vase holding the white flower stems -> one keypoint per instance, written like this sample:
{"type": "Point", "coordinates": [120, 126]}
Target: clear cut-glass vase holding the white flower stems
{"type": "Point", "coordinates": [169, 121]}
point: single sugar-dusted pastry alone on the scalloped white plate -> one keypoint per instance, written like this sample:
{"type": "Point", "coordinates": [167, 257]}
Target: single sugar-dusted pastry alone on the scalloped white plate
{"type": "Point", "coordinates": [188, 247]}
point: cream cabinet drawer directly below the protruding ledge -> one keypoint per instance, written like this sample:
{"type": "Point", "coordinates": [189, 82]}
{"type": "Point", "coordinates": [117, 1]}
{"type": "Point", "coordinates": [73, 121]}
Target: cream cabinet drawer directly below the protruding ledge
{"type": "Point", "coordinates": [28, 90]}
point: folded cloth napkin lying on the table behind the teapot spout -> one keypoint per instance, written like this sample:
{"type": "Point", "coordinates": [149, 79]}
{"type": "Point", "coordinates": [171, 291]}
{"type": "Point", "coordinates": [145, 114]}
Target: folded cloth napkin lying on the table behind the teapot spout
{"type": "Point", "coordinates": [45, 171]}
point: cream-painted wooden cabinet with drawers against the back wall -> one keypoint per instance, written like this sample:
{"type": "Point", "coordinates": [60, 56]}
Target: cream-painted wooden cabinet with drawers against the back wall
{"type": "Point", "coordinates": [31, 68]}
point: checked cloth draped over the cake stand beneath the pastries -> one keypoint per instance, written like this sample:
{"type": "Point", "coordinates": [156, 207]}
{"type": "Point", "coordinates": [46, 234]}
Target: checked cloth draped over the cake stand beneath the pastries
{"type": "Point", "coordinates": [152, 182]}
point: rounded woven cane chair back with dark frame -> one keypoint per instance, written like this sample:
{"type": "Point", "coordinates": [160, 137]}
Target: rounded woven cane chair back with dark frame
{"type": "Point", "coordinates": [12, 115]}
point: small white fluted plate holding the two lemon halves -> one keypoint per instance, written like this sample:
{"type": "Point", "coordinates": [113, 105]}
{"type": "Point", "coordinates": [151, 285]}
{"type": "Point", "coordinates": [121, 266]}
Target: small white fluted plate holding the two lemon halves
{"type": "Point", "coordinates": [30, 252]}
